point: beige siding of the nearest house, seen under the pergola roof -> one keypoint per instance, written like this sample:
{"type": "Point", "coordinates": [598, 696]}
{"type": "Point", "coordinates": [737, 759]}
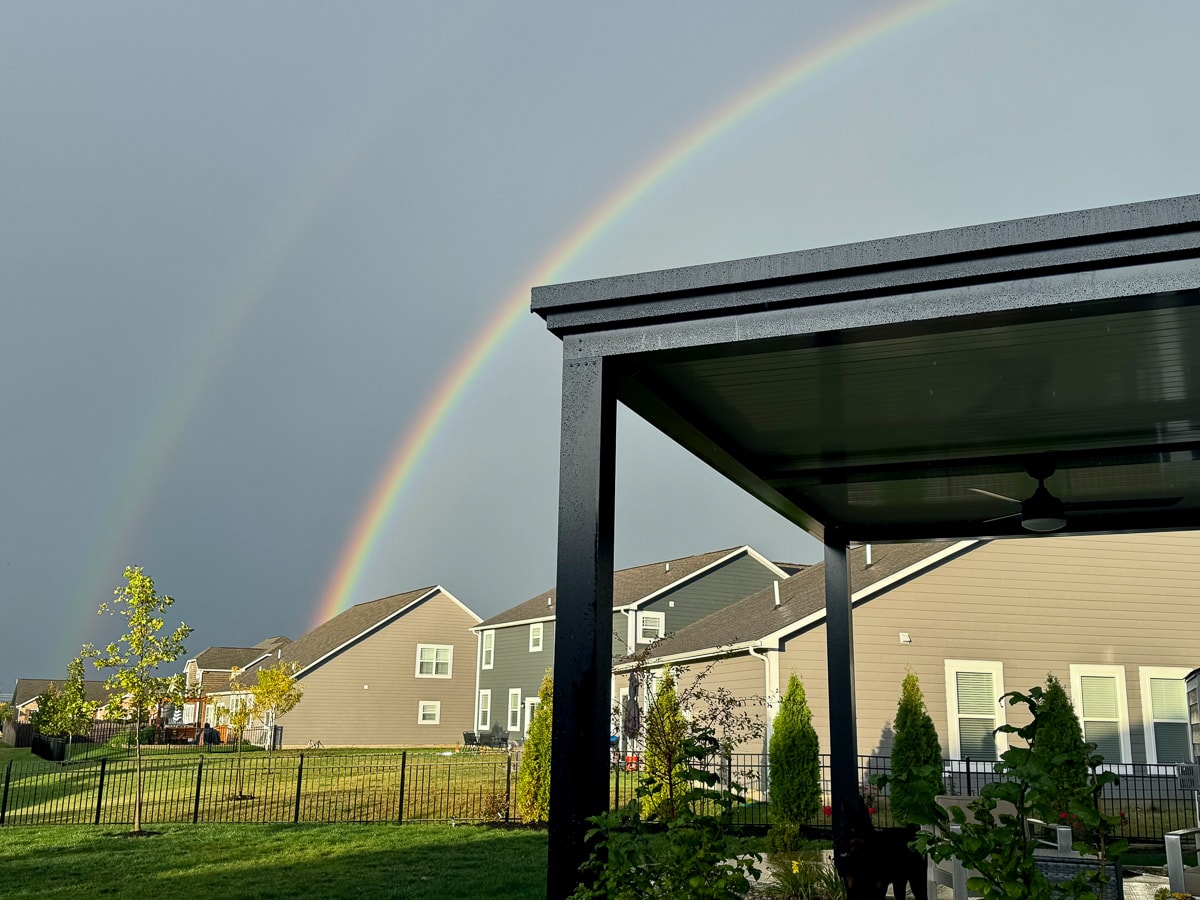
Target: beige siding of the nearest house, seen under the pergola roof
{"type": "Point", "coordinates": [1037, 607]}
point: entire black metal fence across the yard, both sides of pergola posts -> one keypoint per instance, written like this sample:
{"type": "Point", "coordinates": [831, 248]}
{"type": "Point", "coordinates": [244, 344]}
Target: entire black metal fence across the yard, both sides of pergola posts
{"type": "Point", "coordinates": [413, 787]}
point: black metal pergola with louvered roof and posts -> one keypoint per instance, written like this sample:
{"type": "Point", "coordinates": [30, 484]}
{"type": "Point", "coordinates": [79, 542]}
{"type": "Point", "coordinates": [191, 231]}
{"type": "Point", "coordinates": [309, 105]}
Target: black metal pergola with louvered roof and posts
{"type": "Point", "coordinates": [890, 391]}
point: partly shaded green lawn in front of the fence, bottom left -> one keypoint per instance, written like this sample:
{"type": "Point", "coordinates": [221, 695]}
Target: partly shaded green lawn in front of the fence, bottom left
{"type": "Point", "coordinates": [274, 862]}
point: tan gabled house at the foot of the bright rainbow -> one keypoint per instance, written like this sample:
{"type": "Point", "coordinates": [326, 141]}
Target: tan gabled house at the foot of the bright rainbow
{"type": "Point", "coordinates": [391, 673]}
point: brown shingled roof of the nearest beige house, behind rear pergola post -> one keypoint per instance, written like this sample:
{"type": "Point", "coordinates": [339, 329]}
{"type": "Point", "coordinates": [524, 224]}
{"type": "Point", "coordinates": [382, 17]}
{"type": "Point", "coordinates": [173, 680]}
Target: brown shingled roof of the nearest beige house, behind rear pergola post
{"type": "Point", "coordinates": [758, 622]}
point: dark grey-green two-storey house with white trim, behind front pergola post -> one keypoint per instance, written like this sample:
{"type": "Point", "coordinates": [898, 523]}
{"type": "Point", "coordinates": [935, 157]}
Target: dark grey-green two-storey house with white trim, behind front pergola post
{"type": "Point", "coordinates": [518, 646]}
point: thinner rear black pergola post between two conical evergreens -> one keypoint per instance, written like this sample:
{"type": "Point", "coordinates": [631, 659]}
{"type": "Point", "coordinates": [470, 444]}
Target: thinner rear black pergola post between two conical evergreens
{"type": "Point", "coordinates": [841, 661]}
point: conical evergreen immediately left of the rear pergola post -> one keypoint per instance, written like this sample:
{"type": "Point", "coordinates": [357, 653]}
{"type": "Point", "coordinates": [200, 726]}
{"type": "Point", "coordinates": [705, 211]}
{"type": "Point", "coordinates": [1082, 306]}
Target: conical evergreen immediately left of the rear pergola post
{"type": "Point", "coordinates": [795, 766]}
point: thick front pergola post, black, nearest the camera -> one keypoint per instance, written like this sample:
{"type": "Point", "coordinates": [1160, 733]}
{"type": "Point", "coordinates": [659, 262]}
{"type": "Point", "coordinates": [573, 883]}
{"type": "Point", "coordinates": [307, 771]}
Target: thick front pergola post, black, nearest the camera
{"type": "Point", "coordinates": [579, 773]}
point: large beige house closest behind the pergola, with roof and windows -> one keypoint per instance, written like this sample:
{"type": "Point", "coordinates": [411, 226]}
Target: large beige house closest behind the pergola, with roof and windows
{"type": "Point", "coordinates": [1112, 616]}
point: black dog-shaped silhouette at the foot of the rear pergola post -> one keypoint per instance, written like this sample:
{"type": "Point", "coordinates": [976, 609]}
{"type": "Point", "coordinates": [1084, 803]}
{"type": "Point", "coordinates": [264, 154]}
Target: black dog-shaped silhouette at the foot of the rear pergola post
{"type": "Point", "coordinates": [871, 859]}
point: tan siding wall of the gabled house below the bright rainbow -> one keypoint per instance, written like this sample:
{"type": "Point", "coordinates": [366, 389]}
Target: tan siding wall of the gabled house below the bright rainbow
{"type": "Point", "coordinates": [368, 694]}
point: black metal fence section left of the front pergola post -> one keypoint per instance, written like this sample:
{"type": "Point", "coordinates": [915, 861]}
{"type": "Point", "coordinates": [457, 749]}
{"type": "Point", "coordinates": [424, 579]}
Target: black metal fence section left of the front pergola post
{"type": "Point", "coordinates": [322, 789]}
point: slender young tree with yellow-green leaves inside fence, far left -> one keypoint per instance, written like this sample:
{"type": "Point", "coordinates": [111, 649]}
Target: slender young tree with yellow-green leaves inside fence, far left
{"type": "Point", "coordinates": [135, 686]}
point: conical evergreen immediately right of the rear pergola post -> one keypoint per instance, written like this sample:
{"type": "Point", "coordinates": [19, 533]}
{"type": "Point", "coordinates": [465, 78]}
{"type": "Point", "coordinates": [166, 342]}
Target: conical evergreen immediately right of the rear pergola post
{"type": "Point", "coordinates": [916, 757]}
